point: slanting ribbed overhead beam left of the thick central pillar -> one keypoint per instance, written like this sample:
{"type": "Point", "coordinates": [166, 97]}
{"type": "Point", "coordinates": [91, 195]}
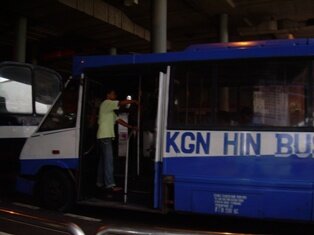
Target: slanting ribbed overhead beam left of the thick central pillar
{"type": "Point", "coordinates": [110, 15]}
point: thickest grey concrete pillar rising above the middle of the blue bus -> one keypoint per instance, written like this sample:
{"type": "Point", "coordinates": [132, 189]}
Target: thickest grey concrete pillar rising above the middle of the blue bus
{"type": "Point", "coordinates": [159, 26]}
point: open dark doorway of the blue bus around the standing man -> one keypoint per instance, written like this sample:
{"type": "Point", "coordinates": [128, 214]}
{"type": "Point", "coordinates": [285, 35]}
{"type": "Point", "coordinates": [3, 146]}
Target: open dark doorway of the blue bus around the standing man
{"type": "Point", "coordinates": [138, 147]}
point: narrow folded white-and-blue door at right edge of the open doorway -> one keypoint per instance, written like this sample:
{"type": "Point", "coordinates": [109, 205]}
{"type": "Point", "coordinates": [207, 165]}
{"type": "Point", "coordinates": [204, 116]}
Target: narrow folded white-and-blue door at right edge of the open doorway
{"type": "Point", "coordinates": [162, 111]}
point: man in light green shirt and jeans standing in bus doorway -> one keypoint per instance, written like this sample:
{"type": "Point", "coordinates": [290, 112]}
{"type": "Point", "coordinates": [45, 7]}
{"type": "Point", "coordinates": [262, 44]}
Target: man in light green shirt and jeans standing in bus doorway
{"type": "Point", "coordinates": [105, 134]}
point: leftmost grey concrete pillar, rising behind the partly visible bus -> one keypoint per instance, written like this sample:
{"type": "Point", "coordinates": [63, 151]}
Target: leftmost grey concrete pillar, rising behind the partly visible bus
{"type": "Point", "coordinates": [21, 37]}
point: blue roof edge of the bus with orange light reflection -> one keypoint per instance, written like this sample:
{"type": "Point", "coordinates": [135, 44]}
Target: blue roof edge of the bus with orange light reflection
{"type": "Point", "coordinates": [215, 51]}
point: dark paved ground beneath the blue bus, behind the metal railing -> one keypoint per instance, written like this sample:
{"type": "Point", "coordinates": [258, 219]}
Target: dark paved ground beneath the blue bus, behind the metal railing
{"type": "Point", "coordinates": [91, 218]}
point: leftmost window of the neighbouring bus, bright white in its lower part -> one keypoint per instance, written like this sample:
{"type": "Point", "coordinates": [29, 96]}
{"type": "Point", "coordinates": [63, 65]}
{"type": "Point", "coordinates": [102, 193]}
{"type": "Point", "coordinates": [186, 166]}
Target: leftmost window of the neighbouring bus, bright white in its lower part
{"type": "Point", "coordinates": [16, 90]}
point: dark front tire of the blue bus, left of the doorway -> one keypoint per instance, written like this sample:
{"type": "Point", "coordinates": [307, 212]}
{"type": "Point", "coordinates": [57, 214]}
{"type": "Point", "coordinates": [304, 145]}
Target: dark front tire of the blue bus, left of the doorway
{"type": "Point", "coordinates": [56, 190]}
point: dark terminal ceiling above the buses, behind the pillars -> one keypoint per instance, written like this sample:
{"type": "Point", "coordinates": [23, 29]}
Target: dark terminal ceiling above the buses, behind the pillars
{"type": "Point", "coordinates": [59, 29]}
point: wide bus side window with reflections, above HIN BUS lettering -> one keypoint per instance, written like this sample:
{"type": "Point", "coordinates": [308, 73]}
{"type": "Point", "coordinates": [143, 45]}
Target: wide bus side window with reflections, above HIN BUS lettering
{"type": "Point", "coordinates": [270, 93]}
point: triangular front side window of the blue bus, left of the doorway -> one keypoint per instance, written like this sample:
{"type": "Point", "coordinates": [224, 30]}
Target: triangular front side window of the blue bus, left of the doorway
{"type": "Point", "coordinates": [64, 112]}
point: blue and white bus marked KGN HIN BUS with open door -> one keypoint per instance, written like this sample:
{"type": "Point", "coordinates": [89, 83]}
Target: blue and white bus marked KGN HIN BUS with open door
{"type": "Point", "coordinates": [224, 129]}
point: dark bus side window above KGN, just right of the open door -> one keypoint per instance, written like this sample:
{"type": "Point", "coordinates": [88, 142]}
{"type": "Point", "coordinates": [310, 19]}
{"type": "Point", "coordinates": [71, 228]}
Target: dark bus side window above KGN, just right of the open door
{"type": "Point", "coordinates": [192, 98]}
